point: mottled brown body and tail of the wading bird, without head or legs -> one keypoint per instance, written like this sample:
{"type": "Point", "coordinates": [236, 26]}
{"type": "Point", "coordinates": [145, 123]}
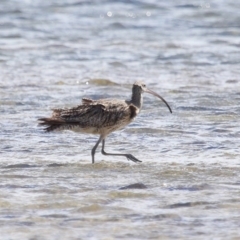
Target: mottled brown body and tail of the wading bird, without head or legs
{"type": "Point", "coordinates": [92, 116]}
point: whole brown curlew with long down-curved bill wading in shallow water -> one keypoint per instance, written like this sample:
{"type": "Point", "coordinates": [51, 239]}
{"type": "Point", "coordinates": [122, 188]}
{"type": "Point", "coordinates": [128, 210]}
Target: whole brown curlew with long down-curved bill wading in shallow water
{"type": "Point", "coordinates": [100, 117]}
